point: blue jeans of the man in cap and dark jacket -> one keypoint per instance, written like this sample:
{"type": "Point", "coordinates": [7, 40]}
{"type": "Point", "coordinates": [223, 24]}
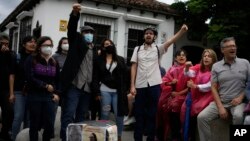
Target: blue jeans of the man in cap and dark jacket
{"type": "Point", "coordinates": [75, 105]}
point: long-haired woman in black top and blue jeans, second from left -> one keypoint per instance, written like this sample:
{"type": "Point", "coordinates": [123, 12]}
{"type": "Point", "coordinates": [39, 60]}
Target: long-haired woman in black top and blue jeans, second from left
{"type": "Point", "coordinates": [20, 105]}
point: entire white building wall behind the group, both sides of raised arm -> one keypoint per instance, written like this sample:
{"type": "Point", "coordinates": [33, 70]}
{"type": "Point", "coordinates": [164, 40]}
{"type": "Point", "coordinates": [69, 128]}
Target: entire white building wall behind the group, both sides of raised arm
{"type": "Point", "coordinates": [50, 12]}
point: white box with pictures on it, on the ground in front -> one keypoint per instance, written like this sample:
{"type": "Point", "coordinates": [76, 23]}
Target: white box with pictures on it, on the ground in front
{"type": "Point", "coordinates": [101, 130]}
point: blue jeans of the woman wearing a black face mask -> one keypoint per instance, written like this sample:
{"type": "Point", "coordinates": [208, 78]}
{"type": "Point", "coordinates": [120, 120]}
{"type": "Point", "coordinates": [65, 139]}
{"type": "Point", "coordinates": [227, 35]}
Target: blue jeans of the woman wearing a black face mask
{"type": "Point", "coordinates": [108, 99]}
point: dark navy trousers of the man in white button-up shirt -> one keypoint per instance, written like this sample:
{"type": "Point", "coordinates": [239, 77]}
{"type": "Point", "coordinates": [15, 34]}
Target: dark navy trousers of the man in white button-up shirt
{"type": "Point", "coordinates": [145, 108]}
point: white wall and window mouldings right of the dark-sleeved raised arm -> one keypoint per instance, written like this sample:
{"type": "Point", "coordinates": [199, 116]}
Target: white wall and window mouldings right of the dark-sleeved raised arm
{"type": "Point", "coordinates": [121, 29]}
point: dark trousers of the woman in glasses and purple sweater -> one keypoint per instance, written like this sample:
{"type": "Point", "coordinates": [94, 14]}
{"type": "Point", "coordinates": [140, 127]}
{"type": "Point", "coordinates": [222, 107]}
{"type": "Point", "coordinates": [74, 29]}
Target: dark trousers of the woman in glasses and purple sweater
{"type": "Point", "coordinates": [42, 115]}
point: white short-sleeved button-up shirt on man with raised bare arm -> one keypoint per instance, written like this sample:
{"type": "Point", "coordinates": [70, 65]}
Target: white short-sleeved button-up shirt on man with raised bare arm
{"type": "Point", "coordinates": [147, 60]}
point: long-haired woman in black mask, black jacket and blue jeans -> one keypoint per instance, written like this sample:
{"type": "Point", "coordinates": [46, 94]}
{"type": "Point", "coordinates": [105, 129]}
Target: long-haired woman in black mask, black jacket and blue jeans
{"type": "Point", "coordinates": [110, 83]}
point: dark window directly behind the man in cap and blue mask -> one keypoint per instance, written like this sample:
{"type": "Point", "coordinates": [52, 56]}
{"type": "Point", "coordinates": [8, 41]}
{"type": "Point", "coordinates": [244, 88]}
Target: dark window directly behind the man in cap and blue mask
{"type": "Point", "coordinates": [101, 32]}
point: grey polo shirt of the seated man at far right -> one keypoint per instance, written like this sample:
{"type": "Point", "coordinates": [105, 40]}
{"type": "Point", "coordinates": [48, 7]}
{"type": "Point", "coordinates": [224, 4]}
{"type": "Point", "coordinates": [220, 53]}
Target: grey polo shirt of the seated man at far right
{"type": "Point", "coordinates": [231, 78]}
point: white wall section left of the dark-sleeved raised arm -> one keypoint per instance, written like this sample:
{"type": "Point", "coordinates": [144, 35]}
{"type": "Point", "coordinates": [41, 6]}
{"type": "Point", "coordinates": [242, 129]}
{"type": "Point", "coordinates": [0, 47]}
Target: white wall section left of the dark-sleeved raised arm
{"type": "Point", "coordinates": [49, 13]}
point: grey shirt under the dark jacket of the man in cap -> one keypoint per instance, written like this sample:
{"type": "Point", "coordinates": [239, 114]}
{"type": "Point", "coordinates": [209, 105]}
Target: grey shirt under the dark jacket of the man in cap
{"type": "Point", "coordinates": [84, 75]}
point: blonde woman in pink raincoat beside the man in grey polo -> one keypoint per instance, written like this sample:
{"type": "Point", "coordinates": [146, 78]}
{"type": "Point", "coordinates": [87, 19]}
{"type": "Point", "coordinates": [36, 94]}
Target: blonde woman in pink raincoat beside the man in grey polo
{"type": "Point", "coordinates": [200, 87]}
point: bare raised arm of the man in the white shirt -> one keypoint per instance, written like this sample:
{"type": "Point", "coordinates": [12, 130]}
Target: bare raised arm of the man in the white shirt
{"type": "Point", "coordinates": [173, 39]}
